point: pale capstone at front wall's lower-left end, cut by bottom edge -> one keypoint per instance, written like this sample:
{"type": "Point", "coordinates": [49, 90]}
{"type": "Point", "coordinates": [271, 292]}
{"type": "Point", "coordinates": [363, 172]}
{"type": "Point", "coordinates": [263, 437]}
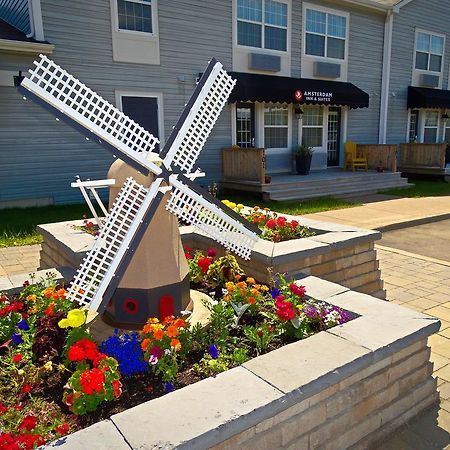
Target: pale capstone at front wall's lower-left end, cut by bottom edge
{"type": "Point", "coordinates": [100, 436]}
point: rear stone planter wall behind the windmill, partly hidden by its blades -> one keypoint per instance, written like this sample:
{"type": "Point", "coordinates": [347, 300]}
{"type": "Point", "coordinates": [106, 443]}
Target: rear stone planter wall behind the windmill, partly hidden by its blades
{"type": "Point", "coordinates": [338, 253]}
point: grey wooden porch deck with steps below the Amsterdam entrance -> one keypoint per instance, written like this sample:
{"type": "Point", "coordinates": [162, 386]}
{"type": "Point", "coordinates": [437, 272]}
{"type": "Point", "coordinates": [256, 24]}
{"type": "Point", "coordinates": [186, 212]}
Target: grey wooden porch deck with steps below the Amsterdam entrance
{"type": "Point", "coordinates": [324, 183]}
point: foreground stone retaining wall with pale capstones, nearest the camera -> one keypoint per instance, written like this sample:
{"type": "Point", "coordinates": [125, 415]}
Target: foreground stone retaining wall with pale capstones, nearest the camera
{"type": "Point", "coordinates": [347, 387]}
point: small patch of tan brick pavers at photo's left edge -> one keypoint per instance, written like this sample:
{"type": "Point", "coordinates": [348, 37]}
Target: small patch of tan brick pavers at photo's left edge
{"type": "Point", "coordinates": [16, 260]}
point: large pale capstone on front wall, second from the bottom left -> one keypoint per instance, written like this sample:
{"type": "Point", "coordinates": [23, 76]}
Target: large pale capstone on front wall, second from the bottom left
{"type": "Point", "coordinates": [234, 394]}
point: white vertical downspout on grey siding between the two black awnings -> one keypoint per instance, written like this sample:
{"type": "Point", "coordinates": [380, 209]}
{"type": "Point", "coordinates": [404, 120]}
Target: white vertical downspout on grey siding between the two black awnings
{"type": "Point", "coordinates": [386, 75]}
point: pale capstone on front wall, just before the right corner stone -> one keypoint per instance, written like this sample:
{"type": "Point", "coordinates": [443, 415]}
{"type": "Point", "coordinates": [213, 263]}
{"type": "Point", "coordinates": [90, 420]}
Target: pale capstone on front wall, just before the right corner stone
{"type": "Point", "coordinates": [310, 365]}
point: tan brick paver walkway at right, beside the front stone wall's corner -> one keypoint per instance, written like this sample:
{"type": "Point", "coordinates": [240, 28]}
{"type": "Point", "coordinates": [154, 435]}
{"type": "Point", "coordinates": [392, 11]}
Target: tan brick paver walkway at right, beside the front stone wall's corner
{"type": "Point", "coordinates": [423, 284]}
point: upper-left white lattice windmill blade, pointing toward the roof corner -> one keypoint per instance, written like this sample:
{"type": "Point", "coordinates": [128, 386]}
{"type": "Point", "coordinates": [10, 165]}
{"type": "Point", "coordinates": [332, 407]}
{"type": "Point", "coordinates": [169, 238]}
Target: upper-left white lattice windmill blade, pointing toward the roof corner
{"type": "Point", "coordinates": [69, 96]}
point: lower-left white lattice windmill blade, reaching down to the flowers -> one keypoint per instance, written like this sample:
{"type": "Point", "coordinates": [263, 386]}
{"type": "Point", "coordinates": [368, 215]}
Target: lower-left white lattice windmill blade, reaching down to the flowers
{"type": "Point", "coordinates": [101, 264]}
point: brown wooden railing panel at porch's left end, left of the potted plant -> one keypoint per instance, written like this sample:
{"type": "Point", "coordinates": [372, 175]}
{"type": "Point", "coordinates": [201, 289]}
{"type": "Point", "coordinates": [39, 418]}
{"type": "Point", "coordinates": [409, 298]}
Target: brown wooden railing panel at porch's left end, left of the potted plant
{"type": "Point", "coordinates": [244, 164]}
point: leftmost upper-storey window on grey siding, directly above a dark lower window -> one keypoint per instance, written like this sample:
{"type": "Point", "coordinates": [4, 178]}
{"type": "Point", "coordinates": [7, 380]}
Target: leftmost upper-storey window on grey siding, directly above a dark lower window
{"type": "Point", "coordinates": [135, 15]}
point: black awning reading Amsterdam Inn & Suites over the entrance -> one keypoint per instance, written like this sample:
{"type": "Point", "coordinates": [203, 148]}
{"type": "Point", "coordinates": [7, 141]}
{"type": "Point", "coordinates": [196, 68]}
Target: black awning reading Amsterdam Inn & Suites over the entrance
{"type": "Point", "coordinates": [269, 88]}
